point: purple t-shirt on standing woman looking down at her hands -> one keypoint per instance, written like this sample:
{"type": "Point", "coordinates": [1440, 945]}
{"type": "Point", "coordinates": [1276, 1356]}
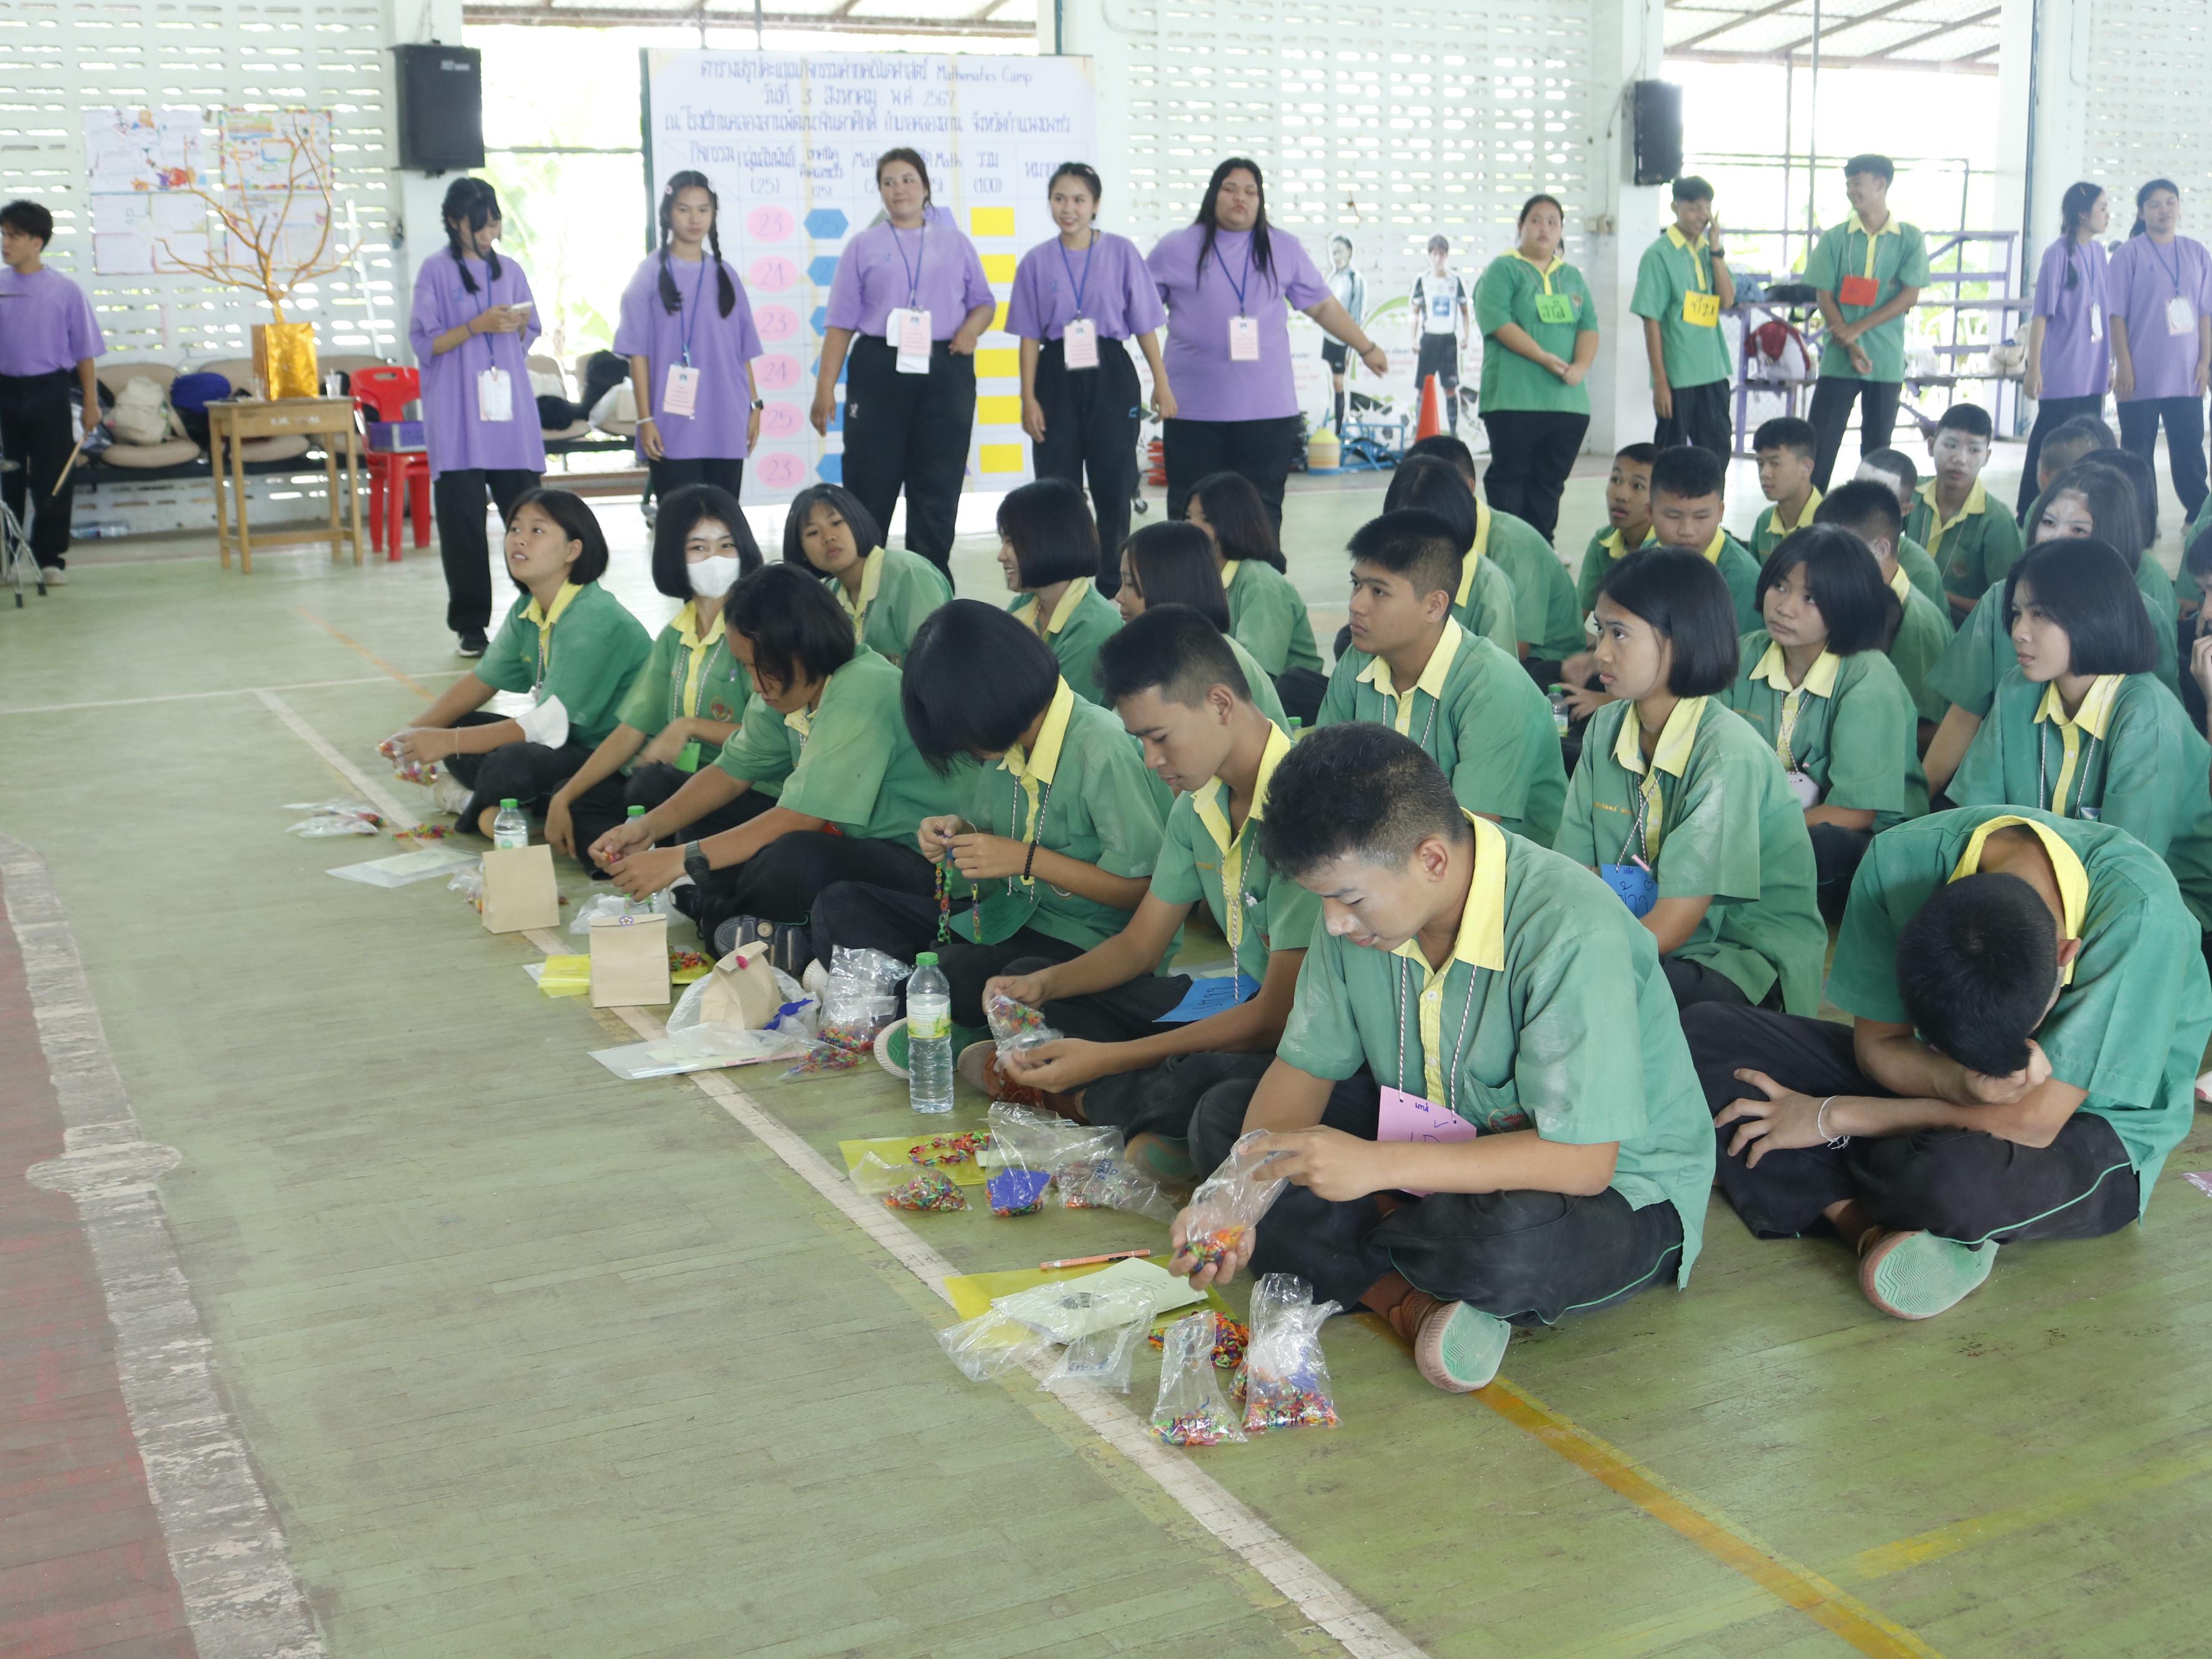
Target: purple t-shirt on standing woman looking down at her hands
{"type": "Point", "coordinates": [452, 430]}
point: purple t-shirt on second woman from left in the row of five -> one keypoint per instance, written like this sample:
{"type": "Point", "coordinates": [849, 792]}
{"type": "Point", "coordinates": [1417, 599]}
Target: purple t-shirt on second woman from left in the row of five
{"type": "Point", "coordinates": [720, 348]}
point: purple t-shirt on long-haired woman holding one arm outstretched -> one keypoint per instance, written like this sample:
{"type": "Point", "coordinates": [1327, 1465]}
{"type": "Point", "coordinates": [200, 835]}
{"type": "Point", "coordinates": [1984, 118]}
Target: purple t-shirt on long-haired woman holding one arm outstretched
{"type": "Point", "coordinates": [1207, 384]}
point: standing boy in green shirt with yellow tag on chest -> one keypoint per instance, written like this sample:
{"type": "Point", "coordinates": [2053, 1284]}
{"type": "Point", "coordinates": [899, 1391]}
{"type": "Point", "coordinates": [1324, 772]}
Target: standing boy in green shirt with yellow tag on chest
{"type": "Point", "coordinates": [1682, 291]}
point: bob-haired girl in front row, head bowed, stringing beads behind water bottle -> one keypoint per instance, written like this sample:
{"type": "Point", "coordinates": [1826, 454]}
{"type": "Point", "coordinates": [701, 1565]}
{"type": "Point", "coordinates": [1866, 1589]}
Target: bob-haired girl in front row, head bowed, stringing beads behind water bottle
{"type": "Point", "coordinates": [1056, 835]}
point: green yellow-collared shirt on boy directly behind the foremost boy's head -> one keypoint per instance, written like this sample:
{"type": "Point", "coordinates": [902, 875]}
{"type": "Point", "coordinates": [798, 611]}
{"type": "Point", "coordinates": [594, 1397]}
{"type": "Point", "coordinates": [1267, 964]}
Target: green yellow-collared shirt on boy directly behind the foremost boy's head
{"type": "Point", "coordinates": [1479, 718]}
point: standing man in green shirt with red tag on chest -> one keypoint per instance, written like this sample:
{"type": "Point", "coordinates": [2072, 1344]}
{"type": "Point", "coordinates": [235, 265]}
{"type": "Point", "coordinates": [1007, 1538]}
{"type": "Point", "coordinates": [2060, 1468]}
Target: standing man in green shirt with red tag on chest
{"type": "Point", "coordinates": [1868, 271]}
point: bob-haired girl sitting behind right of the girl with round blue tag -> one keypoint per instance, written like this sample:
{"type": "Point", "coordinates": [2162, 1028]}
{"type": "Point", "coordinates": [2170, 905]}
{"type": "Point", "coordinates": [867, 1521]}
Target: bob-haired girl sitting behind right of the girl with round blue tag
{"type": "Point", "coordinates": [1817, 687]}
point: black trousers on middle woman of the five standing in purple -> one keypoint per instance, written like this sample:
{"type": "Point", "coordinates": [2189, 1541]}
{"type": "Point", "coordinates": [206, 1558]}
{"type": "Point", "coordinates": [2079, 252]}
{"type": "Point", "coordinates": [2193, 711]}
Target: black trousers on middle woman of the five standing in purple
{"type": "Point", "coordinates": [910, 432]}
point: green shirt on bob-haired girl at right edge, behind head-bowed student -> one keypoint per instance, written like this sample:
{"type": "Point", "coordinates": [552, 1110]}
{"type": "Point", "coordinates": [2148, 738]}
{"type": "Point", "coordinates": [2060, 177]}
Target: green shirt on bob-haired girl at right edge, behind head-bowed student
{"type": "Point", "coordinates": [2129, 760]}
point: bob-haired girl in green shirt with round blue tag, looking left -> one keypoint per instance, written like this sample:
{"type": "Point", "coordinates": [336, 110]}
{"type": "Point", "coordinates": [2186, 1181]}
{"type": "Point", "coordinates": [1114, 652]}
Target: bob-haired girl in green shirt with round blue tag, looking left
{"type": "Point", "coordinates": [1680, 806]}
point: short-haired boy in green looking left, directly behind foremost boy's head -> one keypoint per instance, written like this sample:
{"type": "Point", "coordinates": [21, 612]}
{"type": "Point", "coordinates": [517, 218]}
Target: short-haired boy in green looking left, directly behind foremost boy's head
{"type": "Point", "coordinates": [1421, 674]}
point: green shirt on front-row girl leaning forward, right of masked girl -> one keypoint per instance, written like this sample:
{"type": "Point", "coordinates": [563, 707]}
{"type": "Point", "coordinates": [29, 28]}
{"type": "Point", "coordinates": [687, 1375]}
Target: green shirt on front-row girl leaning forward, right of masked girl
{"type": "Point", "coordinates": [851, 762]}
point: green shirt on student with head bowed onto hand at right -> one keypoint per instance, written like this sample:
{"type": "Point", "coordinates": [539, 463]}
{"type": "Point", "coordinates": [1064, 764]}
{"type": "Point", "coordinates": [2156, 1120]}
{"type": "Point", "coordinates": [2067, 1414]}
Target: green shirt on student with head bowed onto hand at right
{"type": "Point", "coordinates": [2133, 1016]}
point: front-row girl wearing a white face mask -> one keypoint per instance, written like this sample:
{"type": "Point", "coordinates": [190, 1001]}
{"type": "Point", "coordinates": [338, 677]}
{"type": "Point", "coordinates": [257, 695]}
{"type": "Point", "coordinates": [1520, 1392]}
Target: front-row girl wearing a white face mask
{"type": "Point", "coordinates": [689, 698]}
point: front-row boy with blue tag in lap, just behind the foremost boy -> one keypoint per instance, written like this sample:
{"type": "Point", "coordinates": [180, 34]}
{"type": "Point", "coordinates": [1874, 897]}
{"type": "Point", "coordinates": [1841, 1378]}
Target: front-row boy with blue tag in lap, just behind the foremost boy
{"type": "Point", "coordinates": [1142, 1045]}
